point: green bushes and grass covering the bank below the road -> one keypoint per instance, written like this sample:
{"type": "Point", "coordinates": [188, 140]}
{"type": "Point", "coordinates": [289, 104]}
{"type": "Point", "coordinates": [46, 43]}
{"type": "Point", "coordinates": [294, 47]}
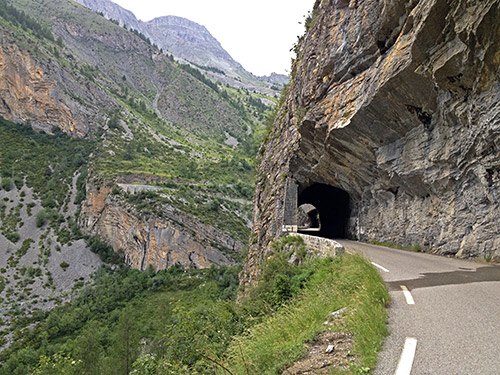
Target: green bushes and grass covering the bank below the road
{"type": "Point", "coordinates": [177, 322]}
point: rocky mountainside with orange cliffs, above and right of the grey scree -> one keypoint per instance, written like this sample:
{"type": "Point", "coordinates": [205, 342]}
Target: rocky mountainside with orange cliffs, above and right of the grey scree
{"type": "Point", "coordinates": [173, 150]}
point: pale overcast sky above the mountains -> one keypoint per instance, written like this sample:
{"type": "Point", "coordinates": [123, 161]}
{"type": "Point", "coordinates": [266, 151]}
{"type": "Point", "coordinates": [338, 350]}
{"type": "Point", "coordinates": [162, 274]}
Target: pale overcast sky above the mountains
{"type": "Point", "coordinates": [257, 33]}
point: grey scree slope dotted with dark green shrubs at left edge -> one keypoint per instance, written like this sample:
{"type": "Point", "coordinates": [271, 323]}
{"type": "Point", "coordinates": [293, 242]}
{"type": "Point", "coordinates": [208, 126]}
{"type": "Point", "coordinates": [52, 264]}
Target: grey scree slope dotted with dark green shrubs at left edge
{"type": "Point", "coordinates": [43, 257]}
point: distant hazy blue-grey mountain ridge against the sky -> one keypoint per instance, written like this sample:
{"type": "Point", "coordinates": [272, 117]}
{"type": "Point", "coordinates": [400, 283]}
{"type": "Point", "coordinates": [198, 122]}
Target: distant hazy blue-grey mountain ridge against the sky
{"type": "Point", "coordinates": [192, 42]}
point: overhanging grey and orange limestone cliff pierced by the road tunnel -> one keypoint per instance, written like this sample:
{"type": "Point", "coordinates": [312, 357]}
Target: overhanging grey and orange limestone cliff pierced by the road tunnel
{"type": "Point", "coordinates": [397, 104]}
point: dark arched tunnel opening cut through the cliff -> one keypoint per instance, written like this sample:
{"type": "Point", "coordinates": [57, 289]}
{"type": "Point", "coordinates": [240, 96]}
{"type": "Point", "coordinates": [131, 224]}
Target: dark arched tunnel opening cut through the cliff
{"type": "Point", "coordinates": [330, 213]}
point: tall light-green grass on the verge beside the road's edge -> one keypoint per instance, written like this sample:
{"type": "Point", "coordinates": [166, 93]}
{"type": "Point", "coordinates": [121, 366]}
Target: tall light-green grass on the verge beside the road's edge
{"type": "Point", "coordinates": [348, 281]}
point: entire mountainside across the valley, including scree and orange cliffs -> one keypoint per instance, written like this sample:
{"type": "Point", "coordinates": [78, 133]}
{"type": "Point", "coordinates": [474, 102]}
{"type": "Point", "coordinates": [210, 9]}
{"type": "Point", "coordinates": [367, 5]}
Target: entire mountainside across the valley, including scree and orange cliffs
{"type": "Point", "coordinates": [142, 153]}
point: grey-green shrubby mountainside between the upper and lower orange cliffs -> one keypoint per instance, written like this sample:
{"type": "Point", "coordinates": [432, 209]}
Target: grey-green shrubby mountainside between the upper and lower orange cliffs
{"type": "Point", "coordinates": [152, 115]}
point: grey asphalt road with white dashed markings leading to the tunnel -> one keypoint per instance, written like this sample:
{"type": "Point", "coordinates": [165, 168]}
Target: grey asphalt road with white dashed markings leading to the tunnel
{"type": "Point", "coordinates": [453, 325]}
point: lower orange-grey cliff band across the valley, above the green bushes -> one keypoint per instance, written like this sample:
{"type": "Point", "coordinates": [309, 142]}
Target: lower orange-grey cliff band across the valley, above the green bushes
{"type": "Point", "coordinates": [175, 238]}
